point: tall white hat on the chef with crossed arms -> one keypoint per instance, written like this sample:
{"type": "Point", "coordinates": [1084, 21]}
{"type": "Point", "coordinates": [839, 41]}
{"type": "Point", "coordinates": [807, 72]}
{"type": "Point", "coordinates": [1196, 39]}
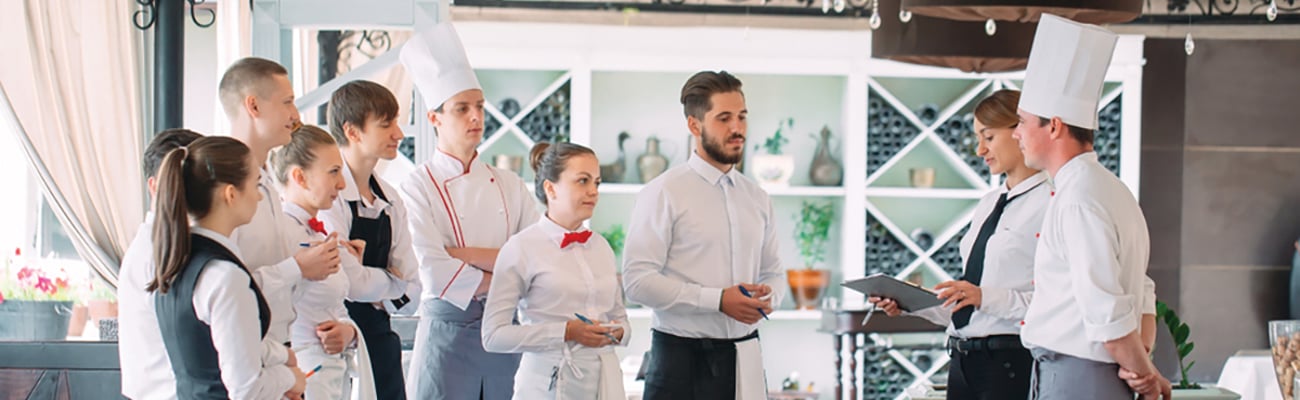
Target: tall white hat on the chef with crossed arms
{"type": "Point", "coordinates": [437, 63]}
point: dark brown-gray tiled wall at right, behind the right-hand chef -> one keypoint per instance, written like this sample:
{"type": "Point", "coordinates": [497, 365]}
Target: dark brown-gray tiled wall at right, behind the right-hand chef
{"type": "Point", "coordinates": [1221, 189]}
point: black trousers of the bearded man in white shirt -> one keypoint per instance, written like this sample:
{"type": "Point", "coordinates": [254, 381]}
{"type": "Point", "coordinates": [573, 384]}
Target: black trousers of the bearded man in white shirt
{"type": "Point", "coordinates": [692, 369]}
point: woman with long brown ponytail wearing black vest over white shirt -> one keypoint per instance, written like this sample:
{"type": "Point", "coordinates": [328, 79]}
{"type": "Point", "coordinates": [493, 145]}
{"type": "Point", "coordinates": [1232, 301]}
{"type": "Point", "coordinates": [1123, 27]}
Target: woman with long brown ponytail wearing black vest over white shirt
{"type": "Point", "coordinates": [213, 316]}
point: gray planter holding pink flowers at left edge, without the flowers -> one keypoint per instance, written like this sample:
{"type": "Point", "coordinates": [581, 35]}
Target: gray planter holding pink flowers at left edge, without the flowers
{"type": "Point", "coordinates": [24, 320]}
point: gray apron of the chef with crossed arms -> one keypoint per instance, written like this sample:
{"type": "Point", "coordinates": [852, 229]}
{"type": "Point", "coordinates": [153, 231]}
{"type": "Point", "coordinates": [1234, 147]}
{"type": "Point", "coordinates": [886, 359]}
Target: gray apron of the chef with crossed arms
{"type": "Point", "coordinates": [449, 362]}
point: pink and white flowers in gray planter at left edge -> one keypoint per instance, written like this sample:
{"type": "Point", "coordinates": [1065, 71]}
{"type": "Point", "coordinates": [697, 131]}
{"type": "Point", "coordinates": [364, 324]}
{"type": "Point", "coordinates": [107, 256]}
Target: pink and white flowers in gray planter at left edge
{"type": "Point", "coordinates": [36, 303]}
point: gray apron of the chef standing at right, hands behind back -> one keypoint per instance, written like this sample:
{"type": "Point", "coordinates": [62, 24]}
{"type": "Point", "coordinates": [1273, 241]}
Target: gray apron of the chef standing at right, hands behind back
{"type": "Point", "coordinates": [1060, 377]}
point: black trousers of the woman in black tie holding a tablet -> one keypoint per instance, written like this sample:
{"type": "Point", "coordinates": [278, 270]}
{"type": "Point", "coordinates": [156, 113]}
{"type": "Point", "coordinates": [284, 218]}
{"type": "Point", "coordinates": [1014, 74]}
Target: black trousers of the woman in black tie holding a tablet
{"type": "Point", "coordinates": [999, 375]}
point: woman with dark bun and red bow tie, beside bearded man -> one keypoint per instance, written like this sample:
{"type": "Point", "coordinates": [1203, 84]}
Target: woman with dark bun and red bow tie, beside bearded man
{"type": "Point", "coordinates": [564, 282]}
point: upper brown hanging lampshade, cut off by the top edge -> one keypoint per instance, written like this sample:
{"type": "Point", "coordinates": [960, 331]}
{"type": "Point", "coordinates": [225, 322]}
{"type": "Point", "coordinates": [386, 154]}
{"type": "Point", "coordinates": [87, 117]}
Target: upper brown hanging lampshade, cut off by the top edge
{"type": "Point", "coordinates": [1028, 11]}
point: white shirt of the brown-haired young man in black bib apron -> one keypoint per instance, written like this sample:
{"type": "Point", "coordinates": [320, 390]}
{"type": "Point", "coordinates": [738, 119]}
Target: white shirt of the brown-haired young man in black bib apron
{"type": "Point", "coordinates": [371, 284]}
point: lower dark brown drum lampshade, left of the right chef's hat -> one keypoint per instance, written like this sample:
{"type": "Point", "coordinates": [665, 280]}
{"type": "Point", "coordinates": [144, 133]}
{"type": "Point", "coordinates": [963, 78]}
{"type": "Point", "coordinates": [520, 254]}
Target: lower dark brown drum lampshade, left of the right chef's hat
{"type": "Point", "coordinates": [952, 44]}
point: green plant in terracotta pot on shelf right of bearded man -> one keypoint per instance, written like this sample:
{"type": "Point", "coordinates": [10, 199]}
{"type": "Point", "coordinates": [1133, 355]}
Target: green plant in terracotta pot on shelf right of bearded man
{"type": "Point", "coordinates": [812, 233]}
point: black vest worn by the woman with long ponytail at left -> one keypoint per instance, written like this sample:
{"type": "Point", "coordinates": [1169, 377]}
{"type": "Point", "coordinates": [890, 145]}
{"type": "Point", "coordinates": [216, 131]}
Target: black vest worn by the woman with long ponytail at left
{"type": "Point", "coordinates": [189, 341]}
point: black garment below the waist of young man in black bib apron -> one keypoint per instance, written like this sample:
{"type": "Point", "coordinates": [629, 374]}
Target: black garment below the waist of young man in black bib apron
{"type": "Point", "coordinates": [385, 349]}
